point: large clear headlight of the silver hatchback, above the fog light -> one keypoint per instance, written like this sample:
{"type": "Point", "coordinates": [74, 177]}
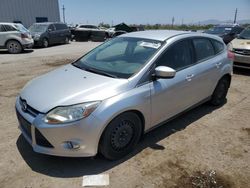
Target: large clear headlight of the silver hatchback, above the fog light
{"type": "Point", "coordinates": [70, 113]}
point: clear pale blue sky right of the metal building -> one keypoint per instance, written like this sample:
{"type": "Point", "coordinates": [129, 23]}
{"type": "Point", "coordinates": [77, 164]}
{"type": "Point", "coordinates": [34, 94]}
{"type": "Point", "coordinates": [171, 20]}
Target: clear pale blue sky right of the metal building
{"type": "Point", "coordinates": [152, 11]}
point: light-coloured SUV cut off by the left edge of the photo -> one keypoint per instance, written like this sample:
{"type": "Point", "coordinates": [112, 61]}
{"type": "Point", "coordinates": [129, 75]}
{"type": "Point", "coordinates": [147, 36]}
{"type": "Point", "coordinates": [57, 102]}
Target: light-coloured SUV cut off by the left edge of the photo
{"type": "Point", "coordinates": [14, 37]}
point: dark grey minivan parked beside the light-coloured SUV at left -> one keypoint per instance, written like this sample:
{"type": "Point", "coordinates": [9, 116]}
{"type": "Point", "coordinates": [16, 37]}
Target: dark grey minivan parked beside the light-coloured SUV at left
{"type": "Point", "coordinates": [46, 34]}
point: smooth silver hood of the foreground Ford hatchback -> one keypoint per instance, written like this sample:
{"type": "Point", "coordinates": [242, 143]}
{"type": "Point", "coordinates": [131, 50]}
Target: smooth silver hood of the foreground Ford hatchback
{"type": "Point", "coordinates": [69, 85]}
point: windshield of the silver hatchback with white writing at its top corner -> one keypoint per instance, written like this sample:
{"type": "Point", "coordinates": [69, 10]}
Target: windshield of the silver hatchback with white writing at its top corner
{"type": "Point", "coordinates": [119, 58]}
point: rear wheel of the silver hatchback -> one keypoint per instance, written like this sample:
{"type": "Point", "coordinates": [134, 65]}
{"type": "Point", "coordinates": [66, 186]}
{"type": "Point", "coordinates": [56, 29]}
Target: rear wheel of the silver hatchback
{"type": "Point", "coordinates": [220, 92]}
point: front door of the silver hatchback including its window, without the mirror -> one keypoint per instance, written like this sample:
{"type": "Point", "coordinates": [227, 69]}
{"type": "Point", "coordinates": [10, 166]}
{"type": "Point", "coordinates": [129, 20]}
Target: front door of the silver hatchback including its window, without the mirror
{"type": "Point", "coordinates": [171, 96]}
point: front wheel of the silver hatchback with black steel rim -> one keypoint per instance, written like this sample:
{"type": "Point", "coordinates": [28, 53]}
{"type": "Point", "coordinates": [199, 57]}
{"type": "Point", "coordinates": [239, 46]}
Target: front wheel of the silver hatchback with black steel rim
{"type": "Point", "coordinates": [121, 136]}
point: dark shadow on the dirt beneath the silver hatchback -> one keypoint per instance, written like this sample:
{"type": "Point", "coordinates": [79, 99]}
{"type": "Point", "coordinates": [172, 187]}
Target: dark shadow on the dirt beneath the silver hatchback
{"type": "Point", "coordinates": [75, 167]}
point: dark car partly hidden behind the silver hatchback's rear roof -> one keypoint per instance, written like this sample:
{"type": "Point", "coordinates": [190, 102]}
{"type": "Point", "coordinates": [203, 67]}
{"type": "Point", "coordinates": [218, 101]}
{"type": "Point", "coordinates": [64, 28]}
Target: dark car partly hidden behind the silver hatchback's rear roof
{"type": "Point", "coordinates": [226, 32]}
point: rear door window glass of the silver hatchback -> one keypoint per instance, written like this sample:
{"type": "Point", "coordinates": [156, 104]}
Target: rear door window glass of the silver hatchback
{"type": "Point", "coordinates": [203, 48]}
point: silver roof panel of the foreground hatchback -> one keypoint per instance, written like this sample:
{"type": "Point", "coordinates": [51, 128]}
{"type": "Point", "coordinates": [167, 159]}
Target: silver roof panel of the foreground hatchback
{"type": "Point", "coordinates": [160, 35]}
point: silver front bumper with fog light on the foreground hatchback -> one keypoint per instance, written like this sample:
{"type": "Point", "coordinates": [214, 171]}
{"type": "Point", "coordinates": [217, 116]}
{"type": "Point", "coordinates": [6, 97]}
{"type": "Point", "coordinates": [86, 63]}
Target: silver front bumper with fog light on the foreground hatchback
{"type": "Point", "coordinates": [58, 139]}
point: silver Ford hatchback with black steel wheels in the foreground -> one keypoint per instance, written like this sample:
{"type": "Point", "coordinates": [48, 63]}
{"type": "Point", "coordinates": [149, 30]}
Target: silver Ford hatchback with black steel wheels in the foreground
{"type": "Point", "coordinates": [105, 101]}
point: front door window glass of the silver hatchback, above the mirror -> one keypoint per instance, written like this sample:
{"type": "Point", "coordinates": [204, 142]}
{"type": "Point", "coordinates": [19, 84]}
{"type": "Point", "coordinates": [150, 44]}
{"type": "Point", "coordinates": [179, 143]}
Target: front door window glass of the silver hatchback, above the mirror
{"type": "Point", "coordinates": [178, 56]}
